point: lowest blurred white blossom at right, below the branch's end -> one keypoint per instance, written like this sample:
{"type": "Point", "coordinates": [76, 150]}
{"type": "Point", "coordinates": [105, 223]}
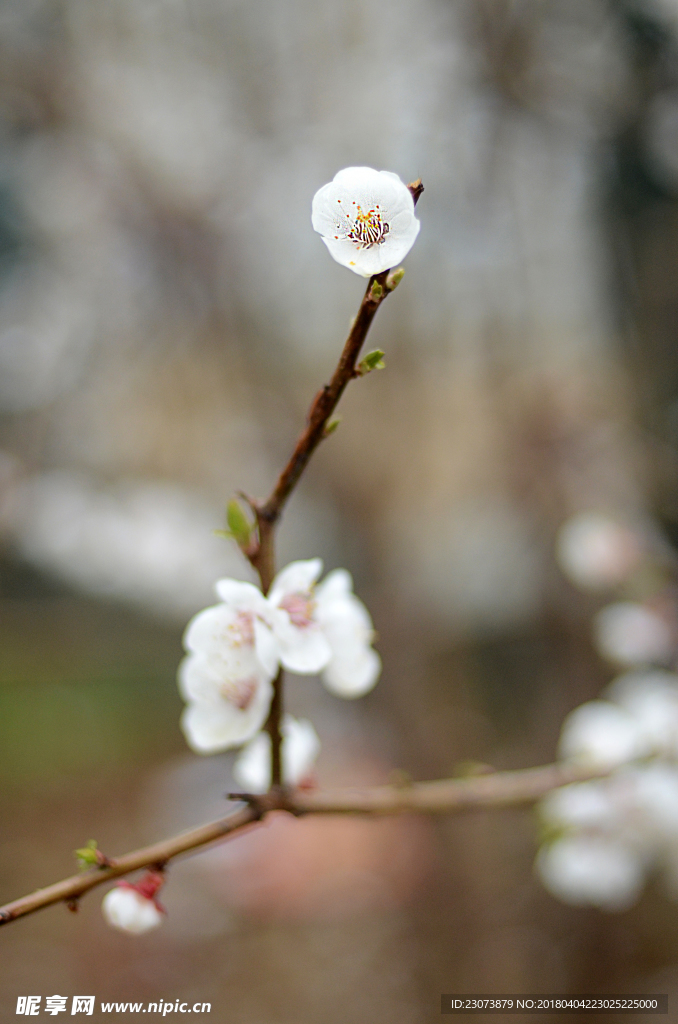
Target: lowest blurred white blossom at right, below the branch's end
{"type": "Point", "coordinates": [591, 870]}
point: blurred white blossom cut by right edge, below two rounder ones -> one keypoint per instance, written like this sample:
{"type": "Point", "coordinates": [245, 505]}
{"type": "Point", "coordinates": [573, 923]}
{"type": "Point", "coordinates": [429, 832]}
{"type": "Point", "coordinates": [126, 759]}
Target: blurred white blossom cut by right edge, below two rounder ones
{"type": "Point", "coordinates": [652, 698]}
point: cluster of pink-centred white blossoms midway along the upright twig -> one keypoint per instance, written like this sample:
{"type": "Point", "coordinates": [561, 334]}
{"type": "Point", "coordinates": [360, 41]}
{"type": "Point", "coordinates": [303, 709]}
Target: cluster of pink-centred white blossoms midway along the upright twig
{"type": "Point", "coordinates": [237, 647]}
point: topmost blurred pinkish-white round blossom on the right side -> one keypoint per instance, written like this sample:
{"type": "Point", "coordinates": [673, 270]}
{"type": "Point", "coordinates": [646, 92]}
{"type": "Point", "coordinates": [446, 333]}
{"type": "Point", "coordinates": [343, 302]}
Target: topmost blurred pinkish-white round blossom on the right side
{"type": "Point", "coordinates": [596, 552]}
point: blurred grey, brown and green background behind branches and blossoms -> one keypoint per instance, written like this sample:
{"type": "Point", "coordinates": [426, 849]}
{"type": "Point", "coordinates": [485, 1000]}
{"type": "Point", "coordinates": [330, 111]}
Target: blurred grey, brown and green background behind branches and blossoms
{"type": "Point", "coordinates": [166, 316]}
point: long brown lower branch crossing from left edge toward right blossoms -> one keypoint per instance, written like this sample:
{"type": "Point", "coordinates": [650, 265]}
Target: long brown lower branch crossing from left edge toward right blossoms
{"type": "Point", "coordinates": [508, 789]}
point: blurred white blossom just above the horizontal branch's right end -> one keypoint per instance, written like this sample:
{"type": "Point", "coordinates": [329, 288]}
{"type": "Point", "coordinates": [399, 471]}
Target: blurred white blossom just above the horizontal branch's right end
{"type": "Point", "coordinates": [600, 735]}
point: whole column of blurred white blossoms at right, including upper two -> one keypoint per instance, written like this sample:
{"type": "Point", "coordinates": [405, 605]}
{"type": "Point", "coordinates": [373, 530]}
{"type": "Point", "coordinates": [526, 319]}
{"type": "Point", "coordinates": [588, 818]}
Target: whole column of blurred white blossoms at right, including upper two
{"type": "Point", "coordinates": [603, 838]}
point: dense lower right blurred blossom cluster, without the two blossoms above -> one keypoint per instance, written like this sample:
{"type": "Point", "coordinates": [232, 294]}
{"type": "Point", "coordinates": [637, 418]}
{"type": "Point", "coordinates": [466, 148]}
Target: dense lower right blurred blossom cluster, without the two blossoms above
{"type": "Point", "coordinates": [604, 837]}
